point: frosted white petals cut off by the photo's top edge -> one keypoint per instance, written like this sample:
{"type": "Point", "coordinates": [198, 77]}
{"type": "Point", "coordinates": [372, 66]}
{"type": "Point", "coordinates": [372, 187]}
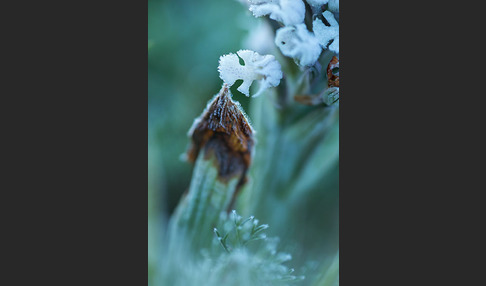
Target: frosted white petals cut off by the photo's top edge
{"type": "Point", "coordinates": [287, 12]}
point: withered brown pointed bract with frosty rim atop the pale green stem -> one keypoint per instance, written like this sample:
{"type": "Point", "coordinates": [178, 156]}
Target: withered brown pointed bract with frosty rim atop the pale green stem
{"type": "Point", "coordinates": [223, 130]}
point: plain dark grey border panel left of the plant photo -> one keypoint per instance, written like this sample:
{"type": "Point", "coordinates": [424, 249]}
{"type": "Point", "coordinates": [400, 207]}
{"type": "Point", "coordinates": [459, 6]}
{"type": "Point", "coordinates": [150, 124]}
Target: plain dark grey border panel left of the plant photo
{"type": "Point", "coordinates": [79, 147]}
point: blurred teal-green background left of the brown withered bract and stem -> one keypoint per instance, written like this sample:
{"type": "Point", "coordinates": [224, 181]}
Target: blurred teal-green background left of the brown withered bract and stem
{"type": "Point", "coordinates": [185, 40]}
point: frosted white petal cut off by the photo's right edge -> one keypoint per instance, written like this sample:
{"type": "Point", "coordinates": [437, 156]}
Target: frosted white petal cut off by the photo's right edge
{"type": "Point", "coordinates": [325, 33]}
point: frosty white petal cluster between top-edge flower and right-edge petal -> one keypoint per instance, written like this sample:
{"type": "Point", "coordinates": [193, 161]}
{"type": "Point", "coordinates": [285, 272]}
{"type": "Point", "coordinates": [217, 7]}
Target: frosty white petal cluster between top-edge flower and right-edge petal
{"type": "Point", "coordinates": [298, 43]}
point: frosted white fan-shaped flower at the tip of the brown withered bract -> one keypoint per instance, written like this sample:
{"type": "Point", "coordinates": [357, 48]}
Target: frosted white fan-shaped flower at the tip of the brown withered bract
{"type": "Point", "coordinates": [256, 67]}
